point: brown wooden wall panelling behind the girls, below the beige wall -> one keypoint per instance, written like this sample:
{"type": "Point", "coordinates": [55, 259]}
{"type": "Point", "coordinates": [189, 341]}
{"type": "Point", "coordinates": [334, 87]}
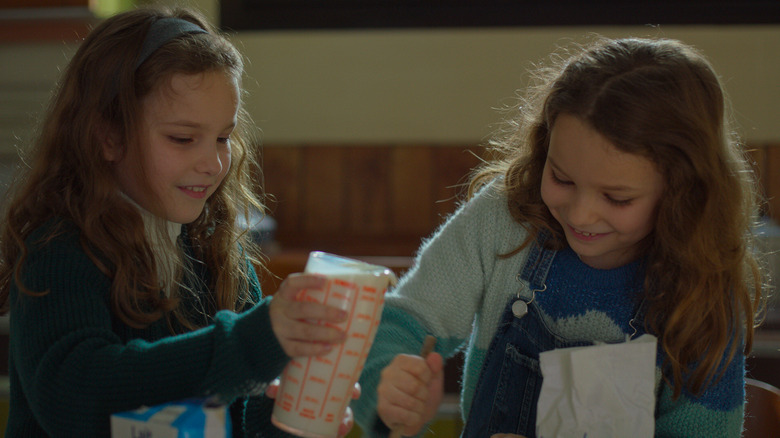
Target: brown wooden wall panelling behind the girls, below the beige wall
{"type": "Point", "coordinates": [383, 200]}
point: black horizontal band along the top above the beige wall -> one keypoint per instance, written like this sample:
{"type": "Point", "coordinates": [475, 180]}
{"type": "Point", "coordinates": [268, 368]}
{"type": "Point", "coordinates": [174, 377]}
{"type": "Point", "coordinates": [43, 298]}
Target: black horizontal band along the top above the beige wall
{"type": "Point", "coordinates": [352, 14]}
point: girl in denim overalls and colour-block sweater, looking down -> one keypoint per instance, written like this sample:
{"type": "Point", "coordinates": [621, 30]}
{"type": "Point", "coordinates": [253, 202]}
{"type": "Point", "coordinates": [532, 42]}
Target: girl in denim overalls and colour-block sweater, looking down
{"type": "Point", "coordinates": [619, 204]}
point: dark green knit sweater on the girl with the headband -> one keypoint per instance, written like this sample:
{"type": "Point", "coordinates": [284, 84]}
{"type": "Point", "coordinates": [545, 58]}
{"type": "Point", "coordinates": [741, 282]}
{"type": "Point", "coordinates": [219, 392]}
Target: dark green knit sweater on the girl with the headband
{"type": "Point", "coordinates": [73, 363]}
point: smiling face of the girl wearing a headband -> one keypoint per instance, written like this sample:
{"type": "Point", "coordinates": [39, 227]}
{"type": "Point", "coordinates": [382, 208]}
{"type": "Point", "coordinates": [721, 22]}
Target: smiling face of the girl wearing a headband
{"type": "Point", "coordinates": [186, 140]}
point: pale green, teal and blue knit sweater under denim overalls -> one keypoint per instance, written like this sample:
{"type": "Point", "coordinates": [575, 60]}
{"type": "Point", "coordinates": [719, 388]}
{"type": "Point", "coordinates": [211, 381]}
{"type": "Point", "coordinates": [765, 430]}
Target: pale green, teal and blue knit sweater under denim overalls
{"type": "Point", "coordinates": [458, 289]}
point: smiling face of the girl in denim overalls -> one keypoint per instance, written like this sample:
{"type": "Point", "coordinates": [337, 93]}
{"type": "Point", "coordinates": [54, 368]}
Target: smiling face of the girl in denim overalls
{"type": "Point", "coordinates": [605, 199]}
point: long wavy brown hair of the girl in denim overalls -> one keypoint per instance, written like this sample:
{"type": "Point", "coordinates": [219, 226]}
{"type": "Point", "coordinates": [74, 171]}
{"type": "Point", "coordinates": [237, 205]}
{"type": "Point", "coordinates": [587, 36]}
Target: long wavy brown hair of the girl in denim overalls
{"type": "Point", "coordinates": [659, 99]}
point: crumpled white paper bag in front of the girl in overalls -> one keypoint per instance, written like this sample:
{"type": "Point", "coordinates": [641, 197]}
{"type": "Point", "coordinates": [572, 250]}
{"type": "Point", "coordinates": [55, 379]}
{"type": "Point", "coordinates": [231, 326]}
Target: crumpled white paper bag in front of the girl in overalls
{"type": "Point", "coordinates": [604, 390]}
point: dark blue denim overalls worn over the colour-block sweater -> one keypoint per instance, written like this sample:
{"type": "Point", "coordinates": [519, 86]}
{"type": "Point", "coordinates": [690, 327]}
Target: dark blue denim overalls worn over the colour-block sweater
{"type": "Point", "coordinates": [510, 381]}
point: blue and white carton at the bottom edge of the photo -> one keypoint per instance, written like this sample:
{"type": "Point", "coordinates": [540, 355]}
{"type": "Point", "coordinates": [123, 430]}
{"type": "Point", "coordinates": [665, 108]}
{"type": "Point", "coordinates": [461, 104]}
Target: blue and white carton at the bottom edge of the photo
{"type": "Point", "coordinates": [190, 418]}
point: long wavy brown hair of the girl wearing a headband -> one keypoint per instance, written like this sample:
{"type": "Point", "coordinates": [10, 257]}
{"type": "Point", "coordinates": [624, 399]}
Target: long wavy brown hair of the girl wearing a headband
{"type": "Point", "coordinates": [67, 177]}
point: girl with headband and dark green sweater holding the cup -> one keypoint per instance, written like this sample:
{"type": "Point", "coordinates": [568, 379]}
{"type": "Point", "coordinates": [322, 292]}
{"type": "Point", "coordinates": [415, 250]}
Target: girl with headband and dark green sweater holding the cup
{"type": "Point", "coordinates": [128, 280]}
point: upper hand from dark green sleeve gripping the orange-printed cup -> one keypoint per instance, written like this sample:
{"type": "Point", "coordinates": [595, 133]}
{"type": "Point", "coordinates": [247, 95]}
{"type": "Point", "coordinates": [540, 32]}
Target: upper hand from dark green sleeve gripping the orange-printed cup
{"type": "Point", "coordinates": [304, 328]}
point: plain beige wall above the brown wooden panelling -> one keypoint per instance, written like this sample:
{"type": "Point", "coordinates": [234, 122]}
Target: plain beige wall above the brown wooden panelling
{"type": "Point", "coordinates": [434, 85]}
